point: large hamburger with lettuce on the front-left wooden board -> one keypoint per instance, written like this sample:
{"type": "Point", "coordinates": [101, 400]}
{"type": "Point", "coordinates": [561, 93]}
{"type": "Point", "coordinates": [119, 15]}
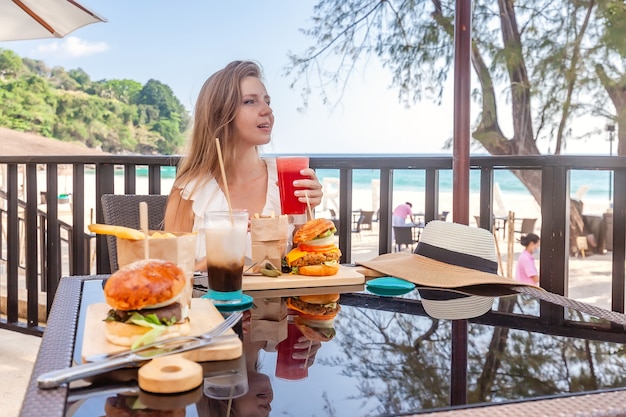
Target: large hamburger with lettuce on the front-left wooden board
{"type": "Point", "coordinates": [145, 297]}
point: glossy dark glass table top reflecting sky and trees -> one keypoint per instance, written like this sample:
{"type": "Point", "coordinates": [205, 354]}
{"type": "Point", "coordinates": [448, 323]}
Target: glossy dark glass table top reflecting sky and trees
{"type": "Point", "coordinates": [384, 357]}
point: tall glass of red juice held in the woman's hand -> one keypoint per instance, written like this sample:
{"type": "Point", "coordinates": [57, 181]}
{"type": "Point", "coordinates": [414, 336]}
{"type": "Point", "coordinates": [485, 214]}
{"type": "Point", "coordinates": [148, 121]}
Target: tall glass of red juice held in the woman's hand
{"type": "Point", "coordinates": [289, 168]}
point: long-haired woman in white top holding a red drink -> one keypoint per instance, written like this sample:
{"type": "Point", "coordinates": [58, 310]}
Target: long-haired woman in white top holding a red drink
{"type": "Point", "coordinates": [233, 105]}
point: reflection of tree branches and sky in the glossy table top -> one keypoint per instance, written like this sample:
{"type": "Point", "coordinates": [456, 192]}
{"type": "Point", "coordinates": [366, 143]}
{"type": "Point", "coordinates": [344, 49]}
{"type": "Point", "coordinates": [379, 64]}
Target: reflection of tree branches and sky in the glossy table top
{"type": "Point", "coordinates": [402, 362]}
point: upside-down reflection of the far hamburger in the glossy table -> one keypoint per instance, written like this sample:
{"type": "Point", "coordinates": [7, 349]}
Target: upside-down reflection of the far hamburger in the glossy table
{"type": "Point", "coordinates": [316, 315]}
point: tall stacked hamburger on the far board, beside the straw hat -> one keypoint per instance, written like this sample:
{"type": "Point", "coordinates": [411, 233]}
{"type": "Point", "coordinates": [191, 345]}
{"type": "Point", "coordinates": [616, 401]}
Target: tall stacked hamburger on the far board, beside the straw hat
{"type": "Point", "coordinates": [316, 253]}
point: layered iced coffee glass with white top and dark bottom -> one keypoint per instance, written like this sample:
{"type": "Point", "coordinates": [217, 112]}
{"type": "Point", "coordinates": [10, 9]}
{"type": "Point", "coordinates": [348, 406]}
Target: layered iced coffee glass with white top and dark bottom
{"type": "Point", "coordinates": [225, 252]}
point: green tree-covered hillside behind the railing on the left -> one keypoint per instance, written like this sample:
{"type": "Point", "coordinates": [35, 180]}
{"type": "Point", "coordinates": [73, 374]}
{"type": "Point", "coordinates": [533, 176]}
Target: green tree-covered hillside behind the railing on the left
{"type": "Point", "coordinates": [113, 115]}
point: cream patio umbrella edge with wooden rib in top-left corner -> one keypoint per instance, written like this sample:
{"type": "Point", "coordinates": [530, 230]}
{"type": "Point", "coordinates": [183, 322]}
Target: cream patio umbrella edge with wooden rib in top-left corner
{"type": "Point", "coordinates": [36, 19]}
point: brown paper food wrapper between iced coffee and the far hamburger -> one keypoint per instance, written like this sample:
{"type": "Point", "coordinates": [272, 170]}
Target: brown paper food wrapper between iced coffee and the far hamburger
{"type": "Point", "coordinates": [269, 240]}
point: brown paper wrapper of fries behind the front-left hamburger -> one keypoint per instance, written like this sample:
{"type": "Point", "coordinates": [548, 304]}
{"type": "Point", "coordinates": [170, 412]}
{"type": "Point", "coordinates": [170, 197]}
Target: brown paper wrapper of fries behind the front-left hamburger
{"type": "Point", "coordinates": [180, 250]}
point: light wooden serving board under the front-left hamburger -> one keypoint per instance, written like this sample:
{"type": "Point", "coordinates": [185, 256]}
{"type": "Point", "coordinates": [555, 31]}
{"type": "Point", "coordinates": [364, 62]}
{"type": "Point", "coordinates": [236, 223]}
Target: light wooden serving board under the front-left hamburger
{"type": "Point", "coordinates": [203, 316]}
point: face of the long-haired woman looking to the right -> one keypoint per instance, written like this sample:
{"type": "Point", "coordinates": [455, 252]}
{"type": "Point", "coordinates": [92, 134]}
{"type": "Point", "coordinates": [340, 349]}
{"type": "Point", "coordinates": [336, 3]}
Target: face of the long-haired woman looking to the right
{"type": "Point", "coordinates": [254, 118]}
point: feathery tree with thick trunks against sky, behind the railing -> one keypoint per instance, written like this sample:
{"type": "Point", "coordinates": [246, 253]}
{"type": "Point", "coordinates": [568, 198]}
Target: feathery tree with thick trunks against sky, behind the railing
{"type": "Point", "coordinates": [539, 61]}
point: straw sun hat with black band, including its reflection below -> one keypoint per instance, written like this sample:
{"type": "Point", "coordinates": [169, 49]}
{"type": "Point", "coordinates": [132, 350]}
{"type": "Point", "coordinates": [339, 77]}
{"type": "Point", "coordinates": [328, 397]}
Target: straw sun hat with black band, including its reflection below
{"type": "Point", "coordinates": [448, 256]}
